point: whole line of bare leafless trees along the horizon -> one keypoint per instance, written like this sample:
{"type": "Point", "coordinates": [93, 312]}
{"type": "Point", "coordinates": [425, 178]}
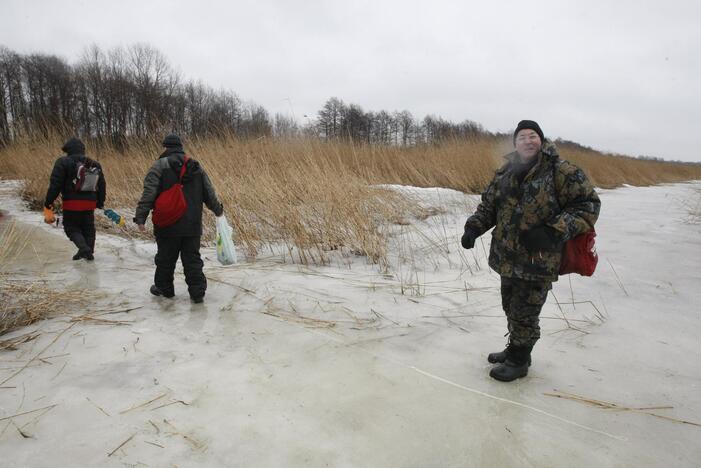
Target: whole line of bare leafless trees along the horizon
{"type": "Point", "coordinates": [134, 92]}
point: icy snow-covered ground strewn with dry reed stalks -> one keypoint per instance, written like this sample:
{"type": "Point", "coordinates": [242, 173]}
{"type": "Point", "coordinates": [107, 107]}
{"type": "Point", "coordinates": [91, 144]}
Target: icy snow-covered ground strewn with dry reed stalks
{"type": "Point", "coordinates": [354, 365]}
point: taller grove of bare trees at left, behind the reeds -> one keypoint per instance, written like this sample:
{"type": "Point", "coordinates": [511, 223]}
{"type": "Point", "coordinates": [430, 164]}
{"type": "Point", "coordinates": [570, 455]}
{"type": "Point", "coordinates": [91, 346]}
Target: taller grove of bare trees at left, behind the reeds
{"type": "Point", "coordinates": [113, 95]}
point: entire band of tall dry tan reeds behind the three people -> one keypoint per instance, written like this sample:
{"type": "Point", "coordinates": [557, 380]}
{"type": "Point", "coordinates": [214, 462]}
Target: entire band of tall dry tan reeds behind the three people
{"type": "Point", "coordinates": [313, 196]}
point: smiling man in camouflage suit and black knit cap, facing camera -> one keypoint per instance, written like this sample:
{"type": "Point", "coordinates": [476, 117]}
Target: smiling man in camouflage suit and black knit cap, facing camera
{"type": "Point", "coordinates": [535, 202]}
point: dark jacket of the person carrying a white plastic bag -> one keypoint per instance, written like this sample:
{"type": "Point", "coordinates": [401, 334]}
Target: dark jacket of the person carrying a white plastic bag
{"type": "Point", "coordinates": [197, 189]}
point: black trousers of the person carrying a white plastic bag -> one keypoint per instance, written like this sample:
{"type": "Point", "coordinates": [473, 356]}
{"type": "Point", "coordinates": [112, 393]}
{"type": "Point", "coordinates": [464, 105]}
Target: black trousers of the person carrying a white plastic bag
{"type": "Point", "coordinates": [188, 248]}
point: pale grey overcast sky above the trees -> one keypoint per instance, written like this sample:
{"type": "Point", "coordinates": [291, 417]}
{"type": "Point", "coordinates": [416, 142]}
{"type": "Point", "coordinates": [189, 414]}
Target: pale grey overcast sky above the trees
{"type": "Point", "coordinates": [622, 76]}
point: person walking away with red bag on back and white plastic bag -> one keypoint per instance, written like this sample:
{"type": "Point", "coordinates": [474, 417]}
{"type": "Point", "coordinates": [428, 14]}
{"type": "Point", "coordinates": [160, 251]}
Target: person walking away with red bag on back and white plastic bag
{"type": "Point", "coordinates": [182, 238]}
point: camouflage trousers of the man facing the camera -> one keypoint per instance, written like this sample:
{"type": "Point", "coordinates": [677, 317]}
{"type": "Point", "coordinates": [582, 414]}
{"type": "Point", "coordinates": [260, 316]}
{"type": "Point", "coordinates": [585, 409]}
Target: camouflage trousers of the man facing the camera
{"type": "Point", "coordinates": [522, 302]}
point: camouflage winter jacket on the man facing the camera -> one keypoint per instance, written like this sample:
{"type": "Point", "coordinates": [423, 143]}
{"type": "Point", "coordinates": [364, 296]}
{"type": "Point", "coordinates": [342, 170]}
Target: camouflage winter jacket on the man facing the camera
{"type": "Point", "coordinates": [553, 193]}
